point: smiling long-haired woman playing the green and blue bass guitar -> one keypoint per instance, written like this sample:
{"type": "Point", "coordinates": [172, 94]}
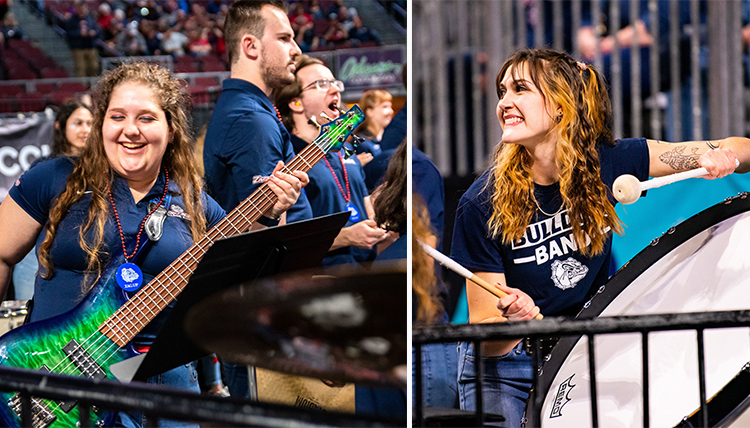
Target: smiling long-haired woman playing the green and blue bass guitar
{"type": "Point", "coordinates": [87, 212]}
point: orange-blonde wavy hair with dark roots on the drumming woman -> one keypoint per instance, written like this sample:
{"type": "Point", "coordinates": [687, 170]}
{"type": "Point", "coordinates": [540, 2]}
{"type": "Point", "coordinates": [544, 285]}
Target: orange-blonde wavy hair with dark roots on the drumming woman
{"type": "Point", "coordinates": [581, 93]}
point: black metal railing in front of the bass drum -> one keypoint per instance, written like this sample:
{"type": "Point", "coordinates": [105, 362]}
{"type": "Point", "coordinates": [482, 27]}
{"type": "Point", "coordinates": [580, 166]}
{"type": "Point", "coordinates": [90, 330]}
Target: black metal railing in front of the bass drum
{"type": "Point", "coordinates": [562, 327]}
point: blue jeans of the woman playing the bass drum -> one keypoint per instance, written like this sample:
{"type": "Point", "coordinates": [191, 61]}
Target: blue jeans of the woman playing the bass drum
{"type": "Point", "coordinates": [506, 386]}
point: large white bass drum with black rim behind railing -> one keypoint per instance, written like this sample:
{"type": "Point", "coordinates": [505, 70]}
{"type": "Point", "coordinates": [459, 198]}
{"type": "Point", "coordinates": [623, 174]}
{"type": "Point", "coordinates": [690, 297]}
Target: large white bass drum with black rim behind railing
{"type": "Point", "coordinates": [703, 264]}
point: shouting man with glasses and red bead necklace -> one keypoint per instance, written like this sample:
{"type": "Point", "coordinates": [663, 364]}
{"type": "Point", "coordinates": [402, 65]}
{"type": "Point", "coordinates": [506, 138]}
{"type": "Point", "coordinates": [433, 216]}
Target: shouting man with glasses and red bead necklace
{"type": "Point", "coordinates": [337, 183]}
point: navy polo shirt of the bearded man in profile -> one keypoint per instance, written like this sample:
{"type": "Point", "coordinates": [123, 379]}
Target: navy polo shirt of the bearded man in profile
{"type": "Point", "coordinates": [245, 140]}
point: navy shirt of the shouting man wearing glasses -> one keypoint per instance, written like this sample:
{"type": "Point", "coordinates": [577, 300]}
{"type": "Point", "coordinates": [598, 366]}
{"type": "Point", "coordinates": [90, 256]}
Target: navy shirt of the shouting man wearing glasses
{"type": "Point", "coordinates": [326, 198]}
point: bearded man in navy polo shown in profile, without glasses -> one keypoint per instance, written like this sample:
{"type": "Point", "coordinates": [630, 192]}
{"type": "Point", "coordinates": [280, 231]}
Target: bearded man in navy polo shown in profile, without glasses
{"type": "Point", "coordinates": [246, 139]}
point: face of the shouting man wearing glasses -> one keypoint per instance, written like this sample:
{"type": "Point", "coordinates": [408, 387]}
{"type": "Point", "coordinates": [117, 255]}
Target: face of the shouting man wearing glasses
{"type": "Point", "coordinates": [313, 99]}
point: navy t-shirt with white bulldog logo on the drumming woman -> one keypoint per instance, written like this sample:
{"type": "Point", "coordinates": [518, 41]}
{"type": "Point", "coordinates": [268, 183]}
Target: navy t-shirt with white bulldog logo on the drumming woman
{"type": "Point", "coordinates": [545, 262]}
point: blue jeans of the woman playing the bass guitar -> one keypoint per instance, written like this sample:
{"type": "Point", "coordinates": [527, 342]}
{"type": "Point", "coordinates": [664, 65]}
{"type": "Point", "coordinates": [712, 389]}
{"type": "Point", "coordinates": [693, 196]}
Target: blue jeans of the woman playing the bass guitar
{"type": "Point", "coordinates": [183, 377]}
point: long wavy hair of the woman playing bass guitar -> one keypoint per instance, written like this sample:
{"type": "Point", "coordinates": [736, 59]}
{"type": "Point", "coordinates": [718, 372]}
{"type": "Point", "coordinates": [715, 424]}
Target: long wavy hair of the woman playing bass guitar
{"type": "Point", "coordinates": [93, 171]}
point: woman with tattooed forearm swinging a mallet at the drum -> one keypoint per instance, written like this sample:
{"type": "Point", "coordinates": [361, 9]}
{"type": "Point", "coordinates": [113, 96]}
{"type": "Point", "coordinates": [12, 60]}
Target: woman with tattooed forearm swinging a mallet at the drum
{"type": "Point", "coordinates": [539, 222]}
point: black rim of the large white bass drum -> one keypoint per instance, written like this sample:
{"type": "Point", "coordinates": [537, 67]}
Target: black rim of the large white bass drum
{"type": "Point", "coordinates": [658, 248]}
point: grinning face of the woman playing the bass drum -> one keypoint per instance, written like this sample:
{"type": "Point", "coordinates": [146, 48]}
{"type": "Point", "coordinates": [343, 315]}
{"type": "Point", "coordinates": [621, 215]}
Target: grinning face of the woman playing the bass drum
{"type": "Point", "coordinates": [525, 116]}
